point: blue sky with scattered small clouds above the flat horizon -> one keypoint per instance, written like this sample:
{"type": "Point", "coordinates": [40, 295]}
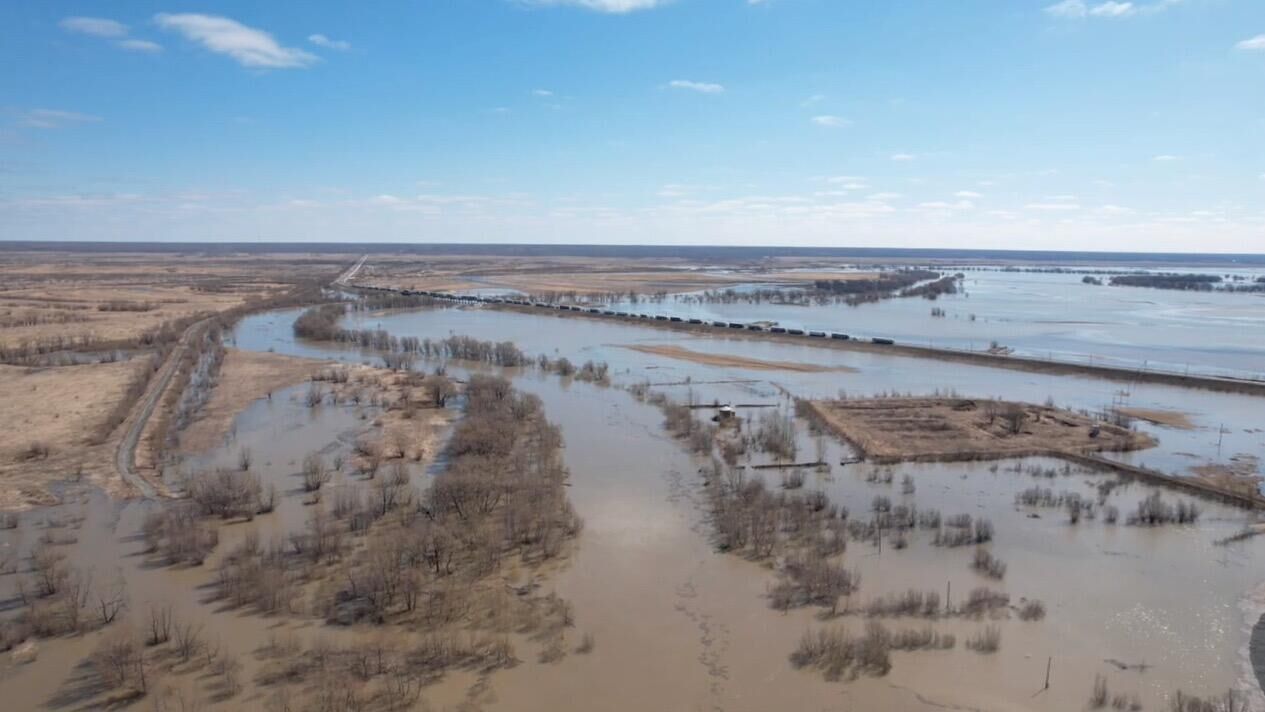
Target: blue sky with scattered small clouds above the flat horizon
{"type": "Point", "coordinates": [1070, 125]}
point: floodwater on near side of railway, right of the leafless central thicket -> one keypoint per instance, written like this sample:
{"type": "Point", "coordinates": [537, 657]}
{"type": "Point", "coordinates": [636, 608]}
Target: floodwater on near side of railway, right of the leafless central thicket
{"type": "Point", "coordinates": [639, 494]}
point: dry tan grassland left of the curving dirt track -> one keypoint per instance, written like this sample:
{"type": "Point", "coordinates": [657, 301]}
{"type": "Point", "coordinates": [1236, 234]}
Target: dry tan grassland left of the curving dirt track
{"type": "Point", "coordinates": [83, 336]}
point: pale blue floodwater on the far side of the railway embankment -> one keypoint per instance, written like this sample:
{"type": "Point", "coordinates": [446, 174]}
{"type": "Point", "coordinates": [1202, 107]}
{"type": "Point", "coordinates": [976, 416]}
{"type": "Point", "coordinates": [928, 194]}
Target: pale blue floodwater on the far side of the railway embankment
{"type": "Point", "coordinates": [1039, 316]}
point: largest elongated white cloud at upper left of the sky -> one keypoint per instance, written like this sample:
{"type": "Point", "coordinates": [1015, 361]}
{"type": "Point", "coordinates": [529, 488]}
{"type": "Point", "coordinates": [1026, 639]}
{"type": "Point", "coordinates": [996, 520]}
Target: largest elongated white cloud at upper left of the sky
{"type": "Point", "coordinates": [249, 46]}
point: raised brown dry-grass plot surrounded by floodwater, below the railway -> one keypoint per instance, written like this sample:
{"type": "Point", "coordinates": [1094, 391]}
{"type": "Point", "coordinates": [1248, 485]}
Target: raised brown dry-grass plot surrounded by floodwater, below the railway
{"type": "Point", "coordinates": [890, 431]}
